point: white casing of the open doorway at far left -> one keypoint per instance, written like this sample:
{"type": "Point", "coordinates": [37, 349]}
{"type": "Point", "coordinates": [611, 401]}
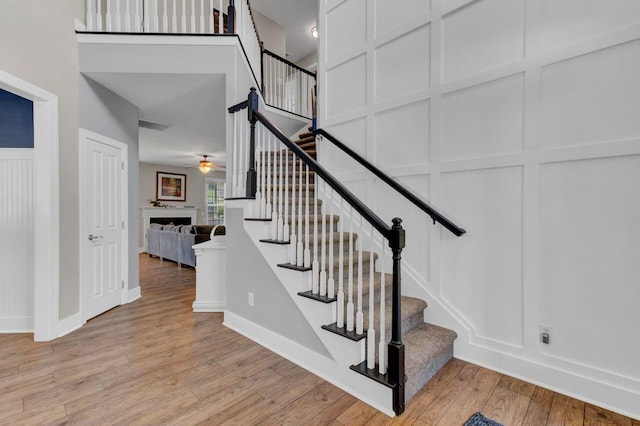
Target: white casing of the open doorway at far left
{"type": "Point", "coordinates": [47, 216]}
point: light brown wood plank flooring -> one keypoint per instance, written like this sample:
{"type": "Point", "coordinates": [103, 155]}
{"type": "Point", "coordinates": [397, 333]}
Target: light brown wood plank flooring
{"type": "Point", "coordinates": [155, 362]}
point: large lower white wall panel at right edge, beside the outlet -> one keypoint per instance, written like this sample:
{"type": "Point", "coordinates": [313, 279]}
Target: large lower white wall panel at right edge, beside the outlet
{"type": "Point", "coordinates": [590, 245]}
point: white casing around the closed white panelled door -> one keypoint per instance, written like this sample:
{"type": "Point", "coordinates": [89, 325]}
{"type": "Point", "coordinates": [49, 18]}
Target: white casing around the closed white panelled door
{"type": "Point", "coordinates": [84, 134]}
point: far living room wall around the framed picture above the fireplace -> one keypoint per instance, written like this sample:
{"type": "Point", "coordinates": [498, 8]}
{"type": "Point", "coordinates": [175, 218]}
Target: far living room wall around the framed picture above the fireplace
{"type": "Point", "coordinates": [195, 190]}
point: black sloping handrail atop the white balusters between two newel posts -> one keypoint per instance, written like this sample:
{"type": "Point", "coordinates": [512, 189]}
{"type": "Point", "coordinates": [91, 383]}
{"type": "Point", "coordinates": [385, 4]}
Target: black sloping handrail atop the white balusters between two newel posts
{"type": "Point", "coordinates": [347, 195]}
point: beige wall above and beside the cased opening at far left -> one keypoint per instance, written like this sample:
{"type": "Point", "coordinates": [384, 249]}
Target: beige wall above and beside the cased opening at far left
{"type": "Point", "coordinates": [37, 44]}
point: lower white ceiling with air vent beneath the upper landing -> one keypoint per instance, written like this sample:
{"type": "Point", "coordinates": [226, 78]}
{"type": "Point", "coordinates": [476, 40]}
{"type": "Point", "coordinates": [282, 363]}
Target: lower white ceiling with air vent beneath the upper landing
{"type": "Point", "coordinates": [193, 105]}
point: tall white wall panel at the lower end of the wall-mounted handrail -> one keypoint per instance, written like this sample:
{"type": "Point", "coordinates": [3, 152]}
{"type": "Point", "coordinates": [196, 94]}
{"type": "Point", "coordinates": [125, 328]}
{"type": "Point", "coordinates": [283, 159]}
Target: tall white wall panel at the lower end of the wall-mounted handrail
{"type": "Point", "coordinates": [481, 274]}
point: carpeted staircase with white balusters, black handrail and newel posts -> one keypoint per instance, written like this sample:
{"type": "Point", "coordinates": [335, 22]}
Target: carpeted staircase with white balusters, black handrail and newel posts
{"type": "Point", "coordinates": [338, 248]}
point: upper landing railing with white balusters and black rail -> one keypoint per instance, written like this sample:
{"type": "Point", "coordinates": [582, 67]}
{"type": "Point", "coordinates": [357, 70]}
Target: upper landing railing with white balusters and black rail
{"type": "Point", "coordinates": [283, 84]}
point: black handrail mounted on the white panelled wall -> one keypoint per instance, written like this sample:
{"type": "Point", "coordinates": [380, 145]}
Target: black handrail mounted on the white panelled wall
{"type": "Point", "coordinates": [402, 190]}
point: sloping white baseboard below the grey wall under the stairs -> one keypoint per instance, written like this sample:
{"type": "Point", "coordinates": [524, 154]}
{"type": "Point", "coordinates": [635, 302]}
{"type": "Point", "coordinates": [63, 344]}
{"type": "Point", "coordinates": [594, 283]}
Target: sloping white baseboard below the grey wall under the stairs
{"type": "Point", "coordinates": [324, 367]}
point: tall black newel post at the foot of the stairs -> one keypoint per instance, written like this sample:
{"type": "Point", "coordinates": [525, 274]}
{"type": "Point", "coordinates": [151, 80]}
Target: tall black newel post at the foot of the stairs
{"type": "Point", "coordinates": [396, 347]}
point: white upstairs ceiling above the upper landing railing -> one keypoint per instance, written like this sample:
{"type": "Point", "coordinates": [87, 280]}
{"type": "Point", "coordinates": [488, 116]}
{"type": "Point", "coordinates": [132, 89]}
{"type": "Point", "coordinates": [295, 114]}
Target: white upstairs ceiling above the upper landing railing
{"type": "Point", "coordinates": [297, 17]}
